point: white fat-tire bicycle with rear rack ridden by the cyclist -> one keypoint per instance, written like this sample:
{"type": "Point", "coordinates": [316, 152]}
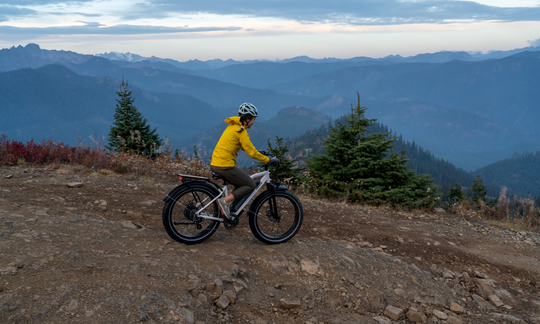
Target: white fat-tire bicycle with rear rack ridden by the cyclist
{"type": "Point", "coordinates": [191, 213]}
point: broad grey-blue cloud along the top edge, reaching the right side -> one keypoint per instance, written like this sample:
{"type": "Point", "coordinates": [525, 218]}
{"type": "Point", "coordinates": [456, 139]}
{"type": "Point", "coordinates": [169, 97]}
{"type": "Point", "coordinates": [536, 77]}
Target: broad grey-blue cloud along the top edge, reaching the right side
{"type": "Point", "coordinates": [356, 12]}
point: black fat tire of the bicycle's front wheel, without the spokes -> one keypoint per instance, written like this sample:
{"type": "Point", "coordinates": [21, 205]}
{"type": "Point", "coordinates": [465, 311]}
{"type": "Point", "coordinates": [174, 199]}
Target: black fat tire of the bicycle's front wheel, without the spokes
{"type": "Point", "coordinates": [255, 213]}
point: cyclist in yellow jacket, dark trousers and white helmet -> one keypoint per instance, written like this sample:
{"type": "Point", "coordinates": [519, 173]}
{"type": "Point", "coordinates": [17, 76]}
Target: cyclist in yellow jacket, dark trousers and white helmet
{"type": "Point", "coordinates": [234, 139]}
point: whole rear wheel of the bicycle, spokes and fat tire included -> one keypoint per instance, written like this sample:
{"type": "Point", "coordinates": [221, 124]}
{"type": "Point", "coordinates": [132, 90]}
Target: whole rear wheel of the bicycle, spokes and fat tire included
{"type": "Point", "coordinates": [179, 214]}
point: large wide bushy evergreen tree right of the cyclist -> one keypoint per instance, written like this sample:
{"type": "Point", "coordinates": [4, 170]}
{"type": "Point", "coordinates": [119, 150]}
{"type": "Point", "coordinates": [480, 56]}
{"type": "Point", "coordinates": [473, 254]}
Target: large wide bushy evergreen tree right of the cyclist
{"type": "Point", "coordinates": [365, 169]}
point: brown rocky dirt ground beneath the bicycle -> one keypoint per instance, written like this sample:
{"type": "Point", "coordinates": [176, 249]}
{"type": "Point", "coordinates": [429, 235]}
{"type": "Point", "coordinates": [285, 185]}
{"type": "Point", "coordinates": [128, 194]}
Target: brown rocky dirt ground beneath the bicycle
{"type": "Point", "coordinates": [99, 254]}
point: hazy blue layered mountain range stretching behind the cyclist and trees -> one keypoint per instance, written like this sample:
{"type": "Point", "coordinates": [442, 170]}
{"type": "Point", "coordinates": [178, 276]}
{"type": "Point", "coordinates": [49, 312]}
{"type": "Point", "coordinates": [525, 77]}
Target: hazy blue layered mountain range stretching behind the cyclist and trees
{"type": "Point", "coordinates": [470, 109]}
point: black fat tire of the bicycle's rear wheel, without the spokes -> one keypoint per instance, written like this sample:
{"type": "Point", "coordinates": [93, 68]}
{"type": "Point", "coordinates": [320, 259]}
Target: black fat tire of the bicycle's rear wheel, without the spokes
{"type": "Point", "coordinates": [168, 217]}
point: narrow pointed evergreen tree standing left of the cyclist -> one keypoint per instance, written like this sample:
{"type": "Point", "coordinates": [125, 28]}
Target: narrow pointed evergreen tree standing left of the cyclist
{"type": "Point", "coordinates": [130, 130]}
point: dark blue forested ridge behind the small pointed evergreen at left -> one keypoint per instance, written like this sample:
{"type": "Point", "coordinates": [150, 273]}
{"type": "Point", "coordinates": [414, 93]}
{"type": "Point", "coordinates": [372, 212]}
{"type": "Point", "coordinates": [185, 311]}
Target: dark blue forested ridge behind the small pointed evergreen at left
{"type": "Point", "coordinates": [55, 101]}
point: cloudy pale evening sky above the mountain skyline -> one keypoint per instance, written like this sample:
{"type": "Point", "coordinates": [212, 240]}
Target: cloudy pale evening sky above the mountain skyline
{"type": "Point", "coordinates": [270, 29]}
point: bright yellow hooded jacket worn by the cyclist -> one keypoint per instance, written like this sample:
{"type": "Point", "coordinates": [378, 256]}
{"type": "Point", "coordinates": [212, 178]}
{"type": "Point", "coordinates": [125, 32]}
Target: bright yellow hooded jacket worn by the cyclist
{"type": "Point", "coordinates": [231, 142]}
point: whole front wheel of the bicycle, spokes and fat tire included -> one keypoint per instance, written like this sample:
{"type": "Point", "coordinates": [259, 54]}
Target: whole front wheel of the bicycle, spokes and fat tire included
{"type": "Point", "coordinates": [275, 219]}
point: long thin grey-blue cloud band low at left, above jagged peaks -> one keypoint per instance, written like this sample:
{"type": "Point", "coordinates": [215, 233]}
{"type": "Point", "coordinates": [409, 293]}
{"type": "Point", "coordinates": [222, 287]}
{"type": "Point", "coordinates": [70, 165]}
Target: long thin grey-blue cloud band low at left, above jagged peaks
{"type": "Point", "coordinates": [93, 28]}
